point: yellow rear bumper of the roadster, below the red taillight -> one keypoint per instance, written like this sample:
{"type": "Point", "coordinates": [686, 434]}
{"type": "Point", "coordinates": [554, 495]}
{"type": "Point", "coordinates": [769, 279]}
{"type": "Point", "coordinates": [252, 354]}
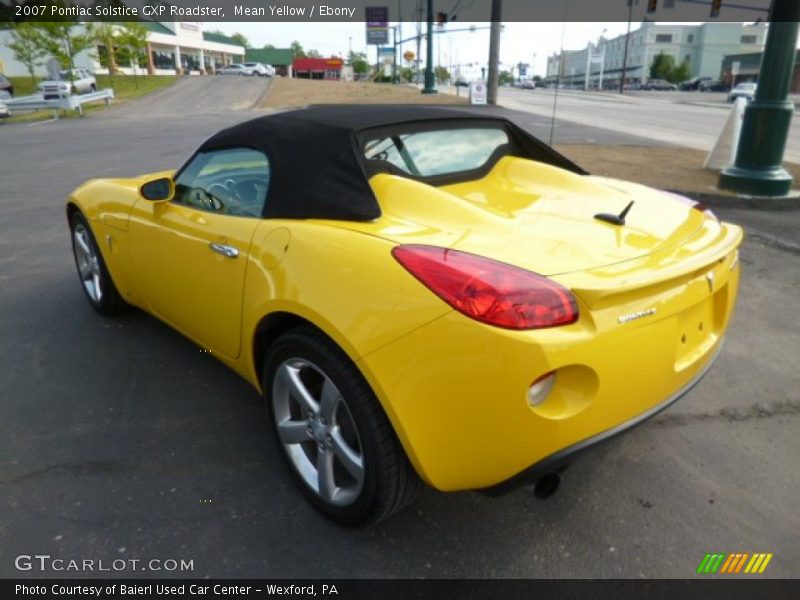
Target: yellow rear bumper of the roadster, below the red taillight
{"type": "Point", "coordinates": [456, 391]}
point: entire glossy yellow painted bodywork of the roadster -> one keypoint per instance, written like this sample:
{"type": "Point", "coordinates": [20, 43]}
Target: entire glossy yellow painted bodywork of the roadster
{"type": "Point", "coordinates": [454, 389]}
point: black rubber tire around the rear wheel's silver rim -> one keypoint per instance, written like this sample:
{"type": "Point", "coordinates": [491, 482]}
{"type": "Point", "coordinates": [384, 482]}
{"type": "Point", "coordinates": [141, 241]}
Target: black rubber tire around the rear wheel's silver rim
{"type": "Point", "coordinates": [389, 480]}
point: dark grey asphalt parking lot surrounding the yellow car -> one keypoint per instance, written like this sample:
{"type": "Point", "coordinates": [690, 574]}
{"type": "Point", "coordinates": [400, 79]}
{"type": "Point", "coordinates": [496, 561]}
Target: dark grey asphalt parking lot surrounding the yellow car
{"type": "Point", "coordinates": [121, 439]}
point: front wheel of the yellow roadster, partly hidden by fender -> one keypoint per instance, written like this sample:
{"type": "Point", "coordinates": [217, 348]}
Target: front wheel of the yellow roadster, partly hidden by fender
{"type": "Point", "coordinates": [95, 279]}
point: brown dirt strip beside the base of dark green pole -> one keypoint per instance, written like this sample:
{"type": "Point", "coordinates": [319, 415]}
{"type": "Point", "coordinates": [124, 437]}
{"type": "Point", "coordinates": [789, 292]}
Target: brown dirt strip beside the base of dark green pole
{"type": "Point", "coordinates": [661, 167]}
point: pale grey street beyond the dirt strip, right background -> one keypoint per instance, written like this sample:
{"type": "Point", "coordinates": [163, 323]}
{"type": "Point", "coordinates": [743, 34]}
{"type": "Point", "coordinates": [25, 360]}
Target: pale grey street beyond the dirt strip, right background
{"type": "Point", "coordinates": [663, 118]}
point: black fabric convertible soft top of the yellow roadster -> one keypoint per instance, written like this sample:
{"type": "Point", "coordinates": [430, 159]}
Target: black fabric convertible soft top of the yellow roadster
{"type": "Point", "coordinates": [317, 169]}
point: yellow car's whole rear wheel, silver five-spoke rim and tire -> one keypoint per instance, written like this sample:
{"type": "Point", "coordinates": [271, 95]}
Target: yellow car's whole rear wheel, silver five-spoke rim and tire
{"type": "Point", "coordinates": [340, 446]}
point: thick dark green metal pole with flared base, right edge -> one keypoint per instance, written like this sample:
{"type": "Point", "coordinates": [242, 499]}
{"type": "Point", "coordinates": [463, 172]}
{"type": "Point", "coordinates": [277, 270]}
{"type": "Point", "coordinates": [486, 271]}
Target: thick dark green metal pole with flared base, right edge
{"type": "Point", "coordinates": [758, 170]}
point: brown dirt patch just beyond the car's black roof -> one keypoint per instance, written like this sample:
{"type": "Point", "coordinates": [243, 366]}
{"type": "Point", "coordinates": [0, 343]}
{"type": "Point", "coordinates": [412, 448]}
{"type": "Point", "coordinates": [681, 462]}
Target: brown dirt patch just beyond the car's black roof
{"type": "Point", "coordinates": [285, 92]}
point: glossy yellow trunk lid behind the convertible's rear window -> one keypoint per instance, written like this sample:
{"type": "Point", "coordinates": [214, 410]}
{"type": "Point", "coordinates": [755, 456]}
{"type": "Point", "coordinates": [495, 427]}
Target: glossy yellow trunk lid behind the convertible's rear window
{"type": "Point", "coordinates": [534, 216]}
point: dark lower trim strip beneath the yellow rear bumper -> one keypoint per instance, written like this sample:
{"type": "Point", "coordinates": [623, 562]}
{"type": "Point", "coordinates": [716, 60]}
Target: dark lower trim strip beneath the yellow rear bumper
{"type": "Point", "coordinates": [561, 459]}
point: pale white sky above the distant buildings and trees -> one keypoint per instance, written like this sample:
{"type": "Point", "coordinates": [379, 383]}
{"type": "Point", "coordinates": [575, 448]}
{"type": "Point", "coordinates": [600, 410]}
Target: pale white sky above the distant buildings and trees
{"type": "Point", "coordinates": [521, 42]}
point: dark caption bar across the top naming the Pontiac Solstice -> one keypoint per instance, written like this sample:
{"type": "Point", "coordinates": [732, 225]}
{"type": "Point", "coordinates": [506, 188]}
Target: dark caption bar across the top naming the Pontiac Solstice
{"type": "Point", "coordinates": [385, 12]}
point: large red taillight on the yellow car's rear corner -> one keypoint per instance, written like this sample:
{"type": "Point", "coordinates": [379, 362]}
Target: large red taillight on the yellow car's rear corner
{"type": "Point", "coordinates": [489, 291]}
